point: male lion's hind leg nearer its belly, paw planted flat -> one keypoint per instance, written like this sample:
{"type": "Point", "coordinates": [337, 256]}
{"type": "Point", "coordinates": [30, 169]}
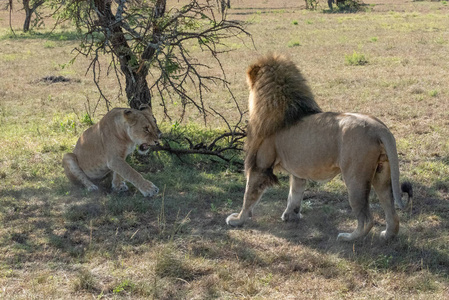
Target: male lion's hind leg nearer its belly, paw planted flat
{"type": "Point", "coordinates": [358, 199]}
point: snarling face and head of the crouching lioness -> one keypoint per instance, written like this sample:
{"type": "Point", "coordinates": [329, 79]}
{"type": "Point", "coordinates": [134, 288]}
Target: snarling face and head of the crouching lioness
{"type": "Point", "coordinates": [142, 129]}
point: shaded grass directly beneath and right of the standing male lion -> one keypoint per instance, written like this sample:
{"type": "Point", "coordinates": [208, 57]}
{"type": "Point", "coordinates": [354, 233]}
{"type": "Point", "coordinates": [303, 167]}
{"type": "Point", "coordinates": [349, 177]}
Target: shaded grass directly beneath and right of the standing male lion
{"type": "Point", "coordinates": [417, 247]}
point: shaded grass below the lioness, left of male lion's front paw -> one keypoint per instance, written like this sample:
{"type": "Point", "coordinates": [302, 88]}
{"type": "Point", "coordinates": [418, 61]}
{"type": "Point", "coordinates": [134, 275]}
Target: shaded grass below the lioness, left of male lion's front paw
{"type": "Point", "coordinates": [67, 223]}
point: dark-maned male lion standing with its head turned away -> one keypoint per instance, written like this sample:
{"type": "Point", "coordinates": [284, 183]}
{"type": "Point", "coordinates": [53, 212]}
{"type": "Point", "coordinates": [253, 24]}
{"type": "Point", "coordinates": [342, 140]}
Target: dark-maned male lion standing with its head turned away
{"type": "Point", "coordinates": [287, 130]}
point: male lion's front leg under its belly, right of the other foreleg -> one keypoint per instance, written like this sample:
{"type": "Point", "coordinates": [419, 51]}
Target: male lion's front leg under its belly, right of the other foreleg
{"type": "Point", "coordinates": [293, 210]}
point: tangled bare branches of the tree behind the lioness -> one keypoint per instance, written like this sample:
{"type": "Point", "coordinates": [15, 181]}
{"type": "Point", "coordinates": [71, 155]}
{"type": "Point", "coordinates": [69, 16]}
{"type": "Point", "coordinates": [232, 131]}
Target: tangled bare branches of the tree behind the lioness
{"type": "Point", "coordinates": [144, 38]}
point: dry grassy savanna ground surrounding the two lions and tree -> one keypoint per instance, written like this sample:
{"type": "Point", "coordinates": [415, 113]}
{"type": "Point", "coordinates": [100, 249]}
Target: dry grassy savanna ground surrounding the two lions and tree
{"type": "Point", "coordinates": [59, 241]}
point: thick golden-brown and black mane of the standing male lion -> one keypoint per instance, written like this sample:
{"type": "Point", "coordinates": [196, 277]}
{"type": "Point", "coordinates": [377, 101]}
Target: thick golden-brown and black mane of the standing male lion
{"type": "Point", "coordinates": [279, 98]}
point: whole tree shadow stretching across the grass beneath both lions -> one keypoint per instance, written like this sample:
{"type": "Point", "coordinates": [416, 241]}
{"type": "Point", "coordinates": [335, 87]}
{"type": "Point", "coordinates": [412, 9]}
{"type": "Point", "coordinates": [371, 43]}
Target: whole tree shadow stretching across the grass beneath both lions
{"type": "Point", "coordinates": [72, 225]}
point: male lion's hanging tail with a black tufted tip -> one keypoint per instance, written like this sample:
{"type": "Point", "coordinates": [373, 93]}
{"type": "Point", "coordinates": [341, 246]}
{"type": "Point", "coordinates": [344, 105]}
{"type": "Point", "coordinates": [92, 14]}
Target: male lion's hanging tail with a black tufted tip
{"type": "Point", "coordinates": [389, 142]}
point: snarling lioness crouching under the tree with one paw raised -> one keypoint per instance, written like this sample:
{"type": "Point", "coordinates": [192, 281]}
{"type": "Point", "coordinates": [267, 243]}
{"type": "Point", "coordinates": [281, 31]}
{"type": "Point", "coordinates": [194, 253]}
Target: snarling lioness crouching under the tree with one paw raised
{"type": "Point", "coordinates": [104, 147]}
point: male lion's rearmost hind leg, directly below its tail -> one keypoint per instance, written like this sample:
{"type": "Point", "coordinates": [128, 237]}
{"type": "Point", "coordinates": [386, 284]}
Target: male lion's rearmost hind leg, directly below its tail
{"type": "Point", "coordinates": [382, 186]}
